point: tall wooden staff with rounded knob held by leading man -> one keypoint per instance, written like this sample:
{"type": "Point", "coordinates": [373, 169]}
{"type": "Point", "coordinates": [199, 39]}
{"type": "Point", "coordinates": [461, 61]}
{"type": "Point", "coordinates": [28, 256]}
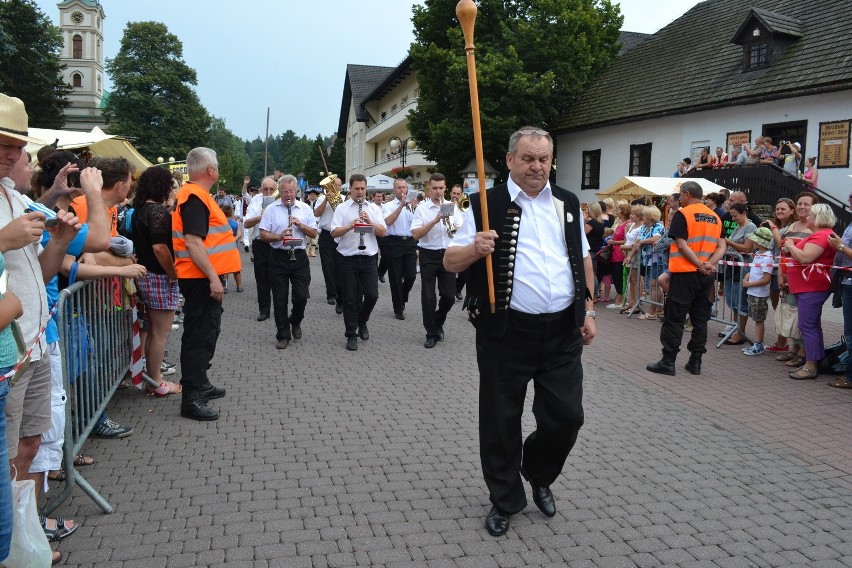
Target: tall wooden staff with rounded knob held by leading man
{"type": "Point", "coordinates": [466, 13]}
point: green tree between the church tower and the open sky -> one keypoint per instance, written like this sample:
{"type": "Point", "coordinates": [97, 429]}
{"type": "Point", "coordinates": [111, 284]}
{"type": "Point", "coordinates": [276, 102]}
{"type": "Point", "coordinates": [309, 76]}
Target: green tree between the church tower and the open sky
{"type": "Point", "coordinates": [153, 100]}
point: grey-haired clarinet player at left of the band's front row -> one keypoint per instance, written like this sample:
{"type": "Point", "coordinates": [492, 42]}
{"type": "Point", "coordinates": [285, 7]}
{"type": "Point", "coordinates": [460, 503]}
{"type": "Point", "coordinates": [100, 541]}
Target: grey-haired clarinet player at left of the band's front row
{"type": "Point", "coordinates": [288, 217]}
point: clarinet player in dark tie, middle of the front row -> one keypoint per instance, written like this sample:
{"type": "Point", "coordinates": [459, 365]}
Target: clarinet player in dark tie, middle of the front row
{"type": "Point", "coordinates": [358, 258]}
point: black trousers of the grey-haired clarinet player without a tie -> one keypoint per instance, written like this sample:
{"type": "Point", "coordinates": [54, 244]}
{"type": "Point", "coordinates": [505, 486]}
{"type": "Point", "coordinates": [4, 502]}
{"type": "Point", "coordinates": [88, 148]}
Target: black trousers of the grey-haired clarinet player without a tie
{"type": "Point", "coordinates": [282, 273]}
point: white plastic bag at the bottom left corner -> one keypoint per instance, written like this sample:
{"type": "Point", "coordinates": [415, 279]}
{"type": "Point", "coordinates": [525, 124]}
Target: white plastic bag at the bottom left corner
{"type": "Point", "coordinates": [29, 548]}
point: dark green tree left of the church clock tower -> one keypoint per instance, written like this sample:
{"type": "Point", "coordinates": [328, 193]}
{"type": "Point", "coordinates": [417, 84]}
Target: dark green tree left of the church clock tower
{"type": "Point", "coordinates": [30, 46]}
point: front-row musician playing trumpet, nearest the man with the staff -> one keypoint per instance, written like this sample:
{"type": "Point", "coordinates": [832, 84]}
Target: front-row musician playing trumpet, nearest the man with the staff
{"type": "Point", "coordinates": [431, 228]}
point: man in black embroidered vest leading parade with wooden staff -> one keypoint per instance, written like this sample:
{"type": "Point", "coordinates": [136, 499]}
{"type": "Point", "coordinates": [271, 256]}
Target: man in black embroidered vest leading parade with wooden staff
{"type": "Point", "coordinates": [544, 315]}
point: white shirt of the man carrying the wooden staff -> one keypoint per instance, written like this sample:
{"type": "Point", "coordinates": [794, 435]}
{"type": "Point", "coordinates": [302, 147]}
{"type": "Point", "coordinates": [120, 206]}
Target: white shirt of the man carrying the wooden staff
{"type": "Point", "coordinates": [543, 281]}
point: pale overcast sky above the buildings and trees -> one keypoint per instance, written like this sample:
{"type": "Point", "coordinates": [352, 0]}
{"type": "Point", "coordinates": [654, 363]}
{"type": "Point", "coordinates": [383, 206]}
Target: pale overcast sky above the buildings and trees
{"type": "Point", "coordinates": [291, 56]}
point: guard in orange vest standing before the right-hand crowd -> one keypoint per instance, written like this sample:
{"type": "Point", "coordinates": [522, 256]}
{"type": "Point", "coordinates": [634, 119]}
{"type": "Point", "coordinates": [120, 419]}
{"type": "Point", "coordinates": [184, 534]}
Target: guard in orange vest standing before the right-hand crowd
{"type": "Point", "coordinates": [697, 245]}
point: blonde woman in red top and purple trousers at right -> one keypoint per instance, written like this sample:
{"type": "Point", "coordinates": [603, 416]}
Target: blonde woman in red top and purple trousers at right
{"type": "Point", "coordinates": [809, 279]}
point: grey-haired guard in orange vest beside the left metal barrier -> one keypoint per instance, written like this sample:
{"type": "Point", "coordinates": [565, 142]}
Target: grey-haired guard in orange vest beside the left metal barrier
{"type": "Point", "coordinates": [204, 249]}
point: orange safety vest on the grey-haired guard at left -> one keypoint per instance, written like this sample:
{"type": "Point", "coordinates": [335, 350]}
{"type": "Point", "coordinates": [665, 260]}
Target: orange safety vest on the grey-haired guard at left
{"type": "Point", "coordinates": [219, 243]}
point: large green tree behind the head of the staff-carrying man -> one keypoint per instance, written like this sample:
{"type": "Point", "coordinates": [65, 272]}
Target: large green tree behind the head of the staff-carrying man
{"type": "Point", "coordinates": [533, 58]}
